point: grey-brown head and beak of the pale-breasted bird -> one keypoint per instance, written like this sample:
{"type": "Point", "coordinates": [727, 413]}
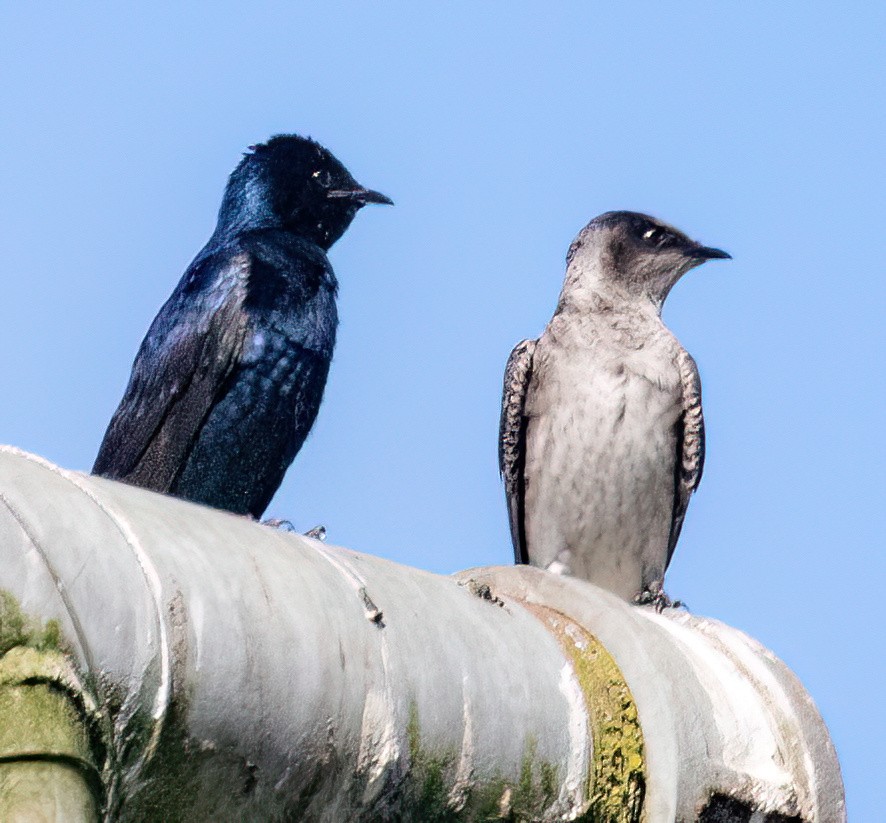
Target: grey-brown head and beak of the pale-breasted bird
{"type": "Point", "coordinates": [636, 253]}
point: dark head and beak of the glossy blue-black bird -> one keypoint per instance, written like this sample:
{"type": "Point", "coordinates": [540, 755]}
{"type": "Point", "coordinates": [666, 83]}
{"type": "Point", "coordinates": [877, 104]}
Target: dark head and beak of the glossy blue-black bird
{"type": "Point", "coordinates": [295, 183]}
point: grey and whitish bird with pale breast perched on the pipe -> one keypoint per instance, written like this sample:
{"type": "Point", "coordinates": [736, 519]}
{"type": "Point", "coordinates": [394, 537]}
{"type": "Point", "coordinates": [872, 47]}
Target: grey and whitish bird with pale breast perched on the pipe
{"type": "Point", "coordinates": [602, 436]}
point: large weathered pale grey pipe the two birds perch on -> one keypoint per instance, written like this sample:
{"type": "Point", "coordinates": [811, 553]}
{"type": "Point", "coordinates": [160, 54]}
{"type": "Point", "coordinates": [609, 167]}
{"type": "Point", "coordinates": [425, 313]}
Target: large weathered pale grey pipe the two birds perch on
{"type": "Point", "coordinates": [235, 672]}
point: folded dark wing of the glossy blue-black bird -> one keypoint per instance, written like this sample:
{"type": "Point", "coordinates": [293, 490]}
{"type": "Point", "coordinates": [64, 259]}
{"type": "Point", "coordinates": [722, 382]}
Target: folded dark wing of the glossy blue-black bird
{"type": "Point", "coordinates": [190, 350]}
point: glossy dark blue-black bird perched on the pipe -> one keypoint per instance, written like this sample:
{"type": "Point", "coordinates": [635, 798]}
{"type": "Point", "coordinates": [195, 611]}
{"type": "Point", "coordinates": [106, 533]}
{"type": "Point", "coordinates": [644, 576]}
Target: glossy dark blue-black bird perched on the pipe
{"type": "Point", "coordinates": [228, 380]}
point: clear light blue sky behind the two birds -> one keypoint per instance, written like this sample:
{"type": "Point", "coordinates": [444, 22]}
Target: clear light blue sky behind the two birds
{"type": "Point", "coordinates": [499, 130]}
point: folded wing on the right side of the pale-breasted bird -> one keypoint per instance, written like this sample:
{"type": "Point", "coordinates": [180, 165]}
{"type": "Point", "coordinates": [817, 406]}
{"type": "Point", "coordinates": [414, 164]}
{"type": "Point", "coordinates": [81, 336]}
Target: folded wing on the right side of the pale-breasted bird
{"type": "Point", "coordinates": [689, 461]}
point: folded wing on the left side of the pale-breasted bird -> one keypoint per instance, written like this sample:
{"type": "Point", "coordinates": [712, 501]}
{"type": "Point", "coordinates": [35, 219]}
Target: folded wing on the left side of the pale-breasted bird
{"type": "Point", "coordinates": [512, 441]}
